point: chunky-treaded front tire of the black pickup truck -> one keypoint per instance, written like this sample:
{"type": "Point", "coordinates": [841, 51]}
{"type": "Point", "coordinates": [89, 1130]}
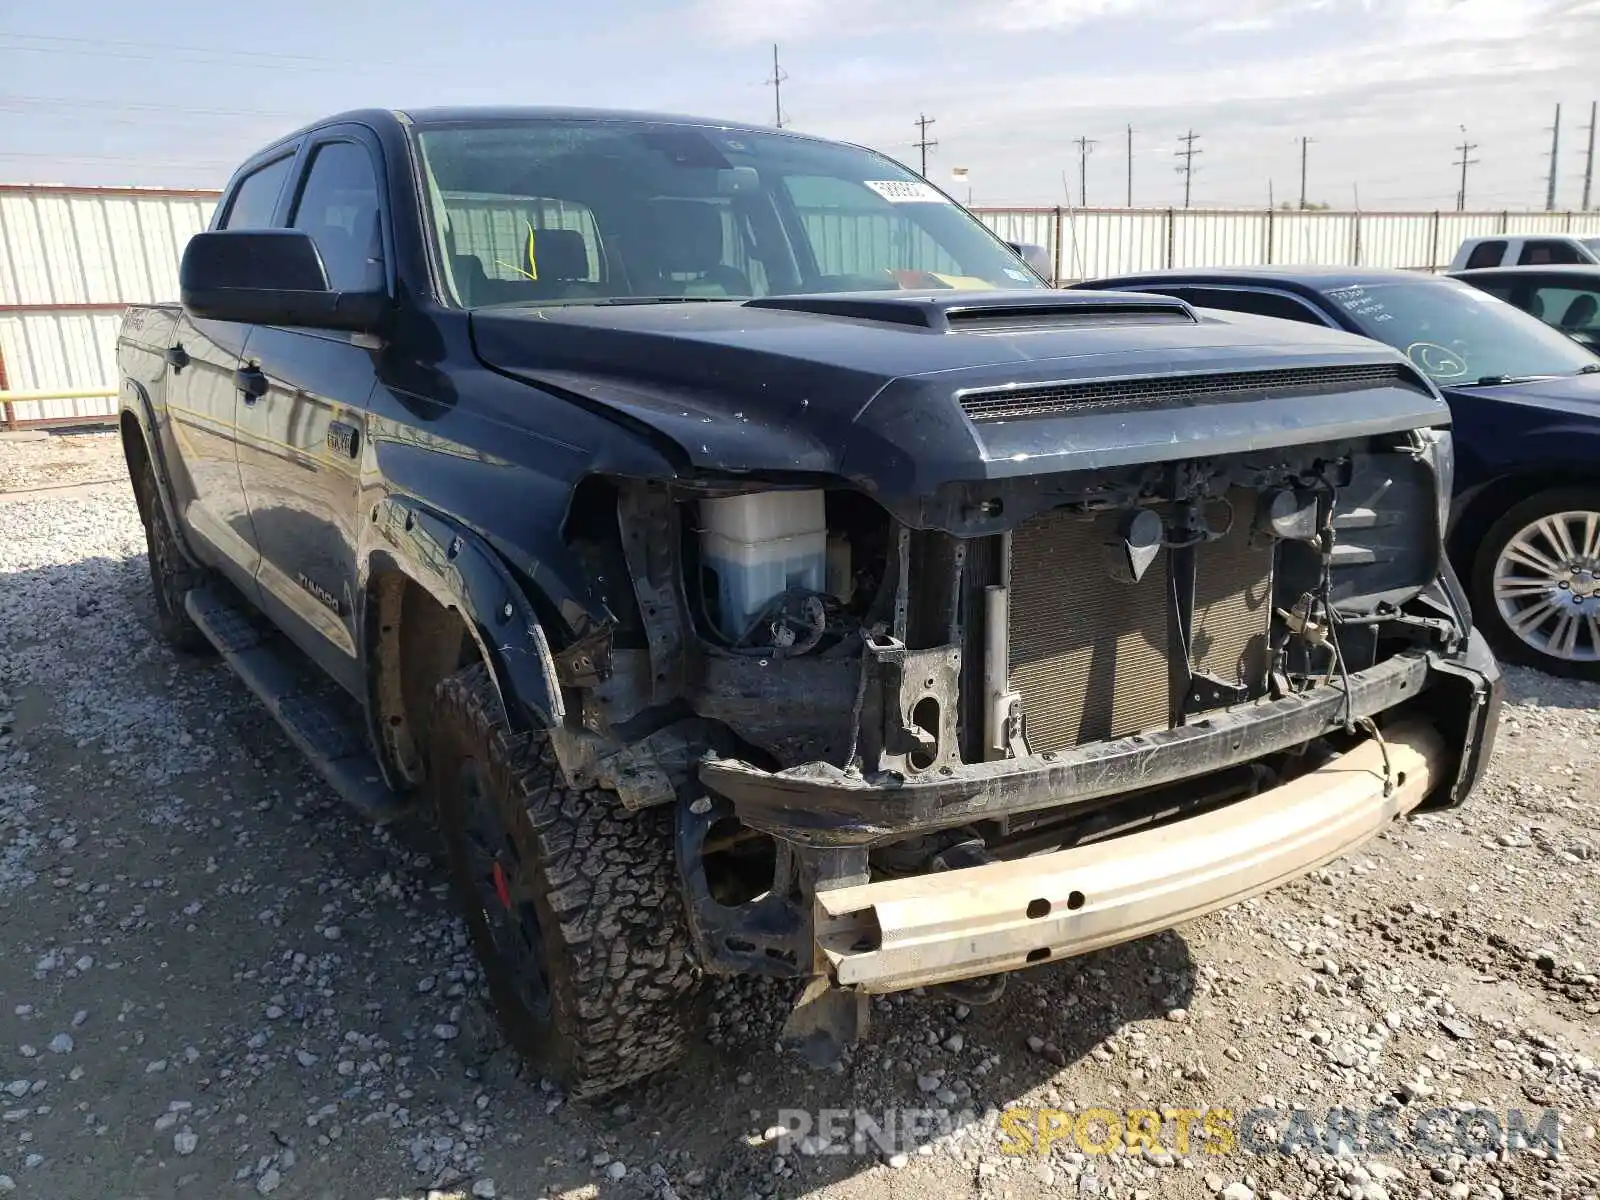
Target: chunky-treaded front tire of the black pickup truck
{"type": "Point", "coordinates": [604, 884]}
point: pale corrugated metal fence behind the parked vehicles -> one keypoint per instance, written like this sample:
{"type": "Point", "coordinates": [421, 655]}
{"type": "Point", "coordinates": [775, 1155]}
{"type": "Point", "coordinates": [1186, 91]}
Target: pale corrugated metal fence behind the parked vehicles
{"type": "Point", "coordinates": [73, 258]}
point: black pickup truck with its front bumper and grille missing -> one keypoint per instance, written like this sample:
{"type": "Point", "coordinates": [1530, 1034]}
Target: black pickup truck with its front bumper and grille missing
{"type": "Point", "coordinates": [761, 570]}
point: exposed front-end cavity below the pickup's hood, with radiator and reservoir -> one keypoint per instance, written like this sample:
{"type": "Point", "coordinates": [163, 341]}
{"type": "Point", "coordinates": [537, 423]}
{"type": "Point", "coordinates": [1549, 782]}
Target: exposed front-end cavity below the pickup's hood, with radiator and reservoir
{"type": "Point", "coordinates": [806, 633]}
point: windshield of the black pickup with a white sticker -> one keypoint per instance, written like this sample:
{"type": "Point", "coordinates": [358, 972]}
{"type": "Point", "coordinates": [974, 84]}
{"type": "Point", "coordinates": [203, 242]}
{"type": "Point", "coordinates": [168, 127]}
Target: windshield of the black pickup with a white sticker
{"type": "Point", "coordinates": [567, 212]}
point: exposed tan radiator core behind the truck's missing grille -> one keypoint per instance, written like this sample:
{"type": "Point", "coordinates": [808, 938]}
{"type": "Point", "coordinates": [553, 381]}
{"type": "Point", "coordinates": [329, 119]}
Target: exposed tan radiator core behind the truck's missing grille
{"type": "Point", "coordinates": [1090, 655]}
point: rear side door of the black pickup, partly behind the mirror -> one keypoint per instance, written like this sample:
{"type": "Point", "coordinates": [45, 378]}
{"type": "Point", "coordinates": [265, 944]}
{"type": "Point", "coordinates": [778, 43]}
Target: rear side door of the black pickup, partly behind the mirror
{"type": "Point", "coordinates": [204, 399]}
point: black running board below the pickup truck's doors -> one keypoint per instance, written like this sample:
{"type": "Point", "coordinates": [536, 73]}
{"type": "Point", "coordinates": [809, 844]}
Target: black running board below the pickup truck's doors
{"type": "Point", "coordinates": [335, 743]}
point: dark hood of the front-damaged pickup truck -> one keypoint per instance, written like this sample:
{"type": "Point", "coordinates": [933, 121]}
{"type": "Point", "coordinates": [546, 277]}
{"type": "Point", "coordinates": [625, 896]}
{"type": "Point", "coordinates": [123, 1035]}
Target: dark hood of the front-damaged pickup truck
{"type": "Point", "coordinates": [870, 386]}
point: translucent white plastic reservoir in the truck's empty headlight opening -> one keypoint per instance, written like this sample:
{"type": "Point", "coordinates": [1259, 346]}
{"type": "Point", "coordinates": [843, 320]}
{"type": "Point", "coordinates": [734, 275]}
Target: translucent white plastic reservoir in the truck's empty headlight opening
{"type": "Point", "coordinates": [759, 548]}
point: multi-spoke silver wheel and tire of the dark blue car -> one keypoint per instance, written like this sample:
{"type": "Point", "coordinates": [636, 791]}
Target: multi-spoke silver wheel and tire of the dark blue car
{"type": "Point", "coordinates": [1537, 583]}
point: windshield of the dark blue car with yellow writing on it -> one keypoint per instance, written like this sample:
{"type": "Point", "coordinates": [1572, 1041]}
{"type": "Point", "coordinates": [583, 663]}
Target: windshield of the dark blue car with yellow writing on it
{"type": "Point", "coordinates": [1460, 335]}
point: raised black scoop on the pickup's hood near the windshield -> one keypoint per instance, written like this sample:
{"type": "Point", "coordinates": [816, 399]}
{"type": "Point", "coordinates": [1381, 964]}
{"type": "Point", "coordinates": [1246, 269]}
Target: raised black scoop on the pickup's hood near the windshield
{"type": "Point", "coordinates": [990, 311]}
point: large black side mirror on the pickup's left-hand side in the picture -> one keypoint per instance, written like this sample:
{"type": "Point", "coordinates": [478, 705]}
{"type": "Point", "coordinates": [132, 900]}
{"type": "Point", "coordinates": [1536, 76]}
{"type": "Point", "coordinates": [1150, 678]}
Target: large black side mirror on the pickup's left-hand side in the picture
{"type": "Point", "coordinates": [270, 278]}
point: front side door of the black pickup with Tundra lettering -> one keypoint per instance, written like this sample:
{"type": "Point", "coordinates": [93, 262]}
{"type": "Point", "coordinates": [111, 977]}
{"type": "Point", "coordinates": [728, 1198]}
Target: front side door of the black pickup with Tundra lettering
{"type": "Point", "coordinates": [303, 442]}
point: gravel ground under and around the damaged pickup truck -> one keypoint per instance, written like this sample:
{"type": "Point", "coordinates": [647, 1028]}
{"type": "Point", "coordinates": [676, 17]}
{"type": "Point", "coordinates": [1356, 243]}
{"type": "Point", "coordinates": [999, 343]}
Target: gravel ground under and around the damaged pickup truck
{"type": "Point", "coordinates": [217, 982]}
